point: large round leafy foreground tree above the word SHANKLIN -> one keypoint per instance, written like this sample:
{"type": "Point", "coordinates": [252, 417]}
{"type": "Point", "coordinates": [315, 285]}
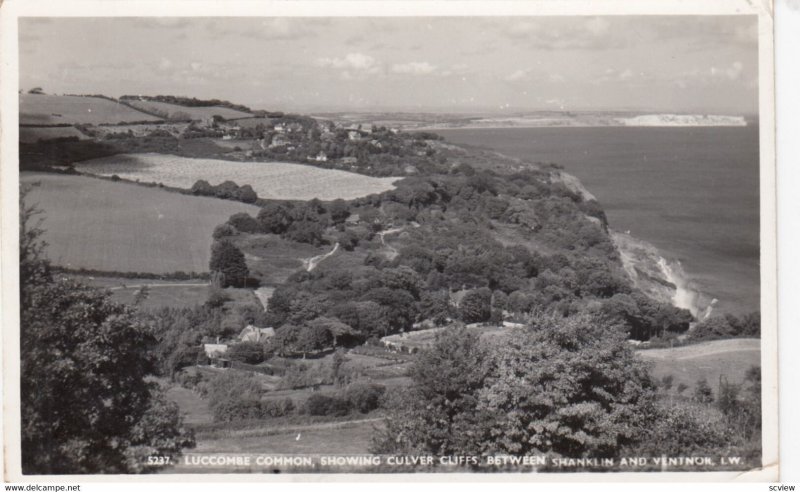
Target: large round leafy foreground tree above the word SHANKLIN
{"type": "Point", "coordinates": [567, 385]}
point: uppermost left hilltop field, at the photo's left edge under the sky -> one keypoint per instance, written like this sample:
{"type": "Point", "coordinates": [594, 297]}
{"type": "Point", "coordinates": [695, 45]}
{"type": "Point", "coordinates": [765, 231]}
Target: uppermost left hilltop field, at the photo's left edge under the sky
{"type": "Point", "coordinates": [35, 109]}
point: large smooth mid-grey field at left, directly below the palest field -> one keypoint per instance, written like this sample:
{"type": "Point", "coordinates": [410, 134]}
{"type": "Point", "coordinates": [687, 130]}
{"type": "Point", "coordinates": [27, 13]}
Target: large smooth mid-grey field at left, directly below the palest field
{"type": "Point", "coordinates": [103, 225]}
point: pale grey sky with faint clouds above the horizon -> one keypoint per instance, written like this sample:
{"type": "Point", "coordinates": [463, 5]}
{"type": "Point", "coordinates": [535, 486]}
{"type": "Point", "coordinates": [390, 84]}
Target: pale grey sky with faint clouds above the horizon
{"type": "Point", "coordinates": [705, 64]}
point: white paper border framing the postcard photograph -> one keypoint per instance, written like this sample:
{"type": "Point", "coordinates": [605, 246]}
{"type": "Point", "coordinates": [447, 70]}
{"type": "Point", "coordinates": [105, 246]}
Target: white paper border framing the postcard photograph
{"type": "Point", "coordinates": [9, 178]}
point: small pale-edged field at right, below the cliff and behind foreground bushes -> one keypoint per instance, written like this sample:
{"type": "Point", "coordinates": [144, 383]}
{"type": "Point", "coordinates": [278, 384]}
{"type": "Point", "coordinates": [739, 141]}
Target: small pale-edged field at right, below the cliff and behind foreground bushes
{"type": "Point", "coordinates": [709, 360]}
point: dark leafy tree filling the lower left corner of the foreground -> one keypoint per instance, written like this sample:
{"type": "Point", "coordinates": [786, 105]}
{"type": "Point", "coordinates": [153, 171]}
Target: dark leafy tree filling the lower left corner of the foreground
{"type": "Point", "coordinates": [86, 406]}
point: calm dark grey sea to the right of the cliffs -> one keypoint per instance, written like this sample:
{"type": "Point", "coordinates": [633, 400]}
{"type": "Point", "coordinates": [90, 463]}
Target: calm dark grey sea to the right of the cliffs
{"type": "Point", "coordinates": [692, 192]}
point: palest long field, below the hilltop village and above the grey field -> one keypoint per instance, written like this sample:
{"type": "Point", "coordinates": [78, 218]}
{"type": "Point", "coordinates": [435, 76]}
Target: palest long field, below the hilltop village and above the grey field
{"type": "Point", "coordinates": [273, 180]}
